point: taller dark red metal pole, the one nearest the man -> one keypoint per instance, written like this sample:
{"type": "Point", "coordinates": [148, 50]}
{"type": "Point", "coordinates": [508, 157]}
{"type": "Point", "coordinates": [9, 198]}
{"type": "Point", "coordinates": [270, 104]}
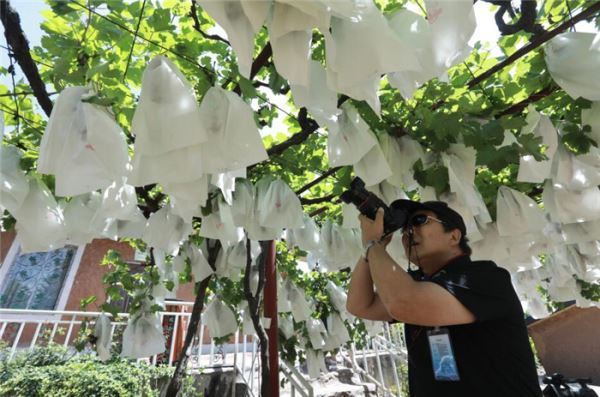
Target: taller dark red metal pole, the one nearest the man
{"type": "Point", "coordinates": [271, 313]}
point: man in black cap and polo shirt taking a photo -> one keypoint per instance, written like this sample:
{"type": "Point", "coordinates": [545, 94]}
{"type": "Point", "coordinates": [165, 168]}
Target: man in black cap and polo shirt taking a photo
{"type": "Point", "coordinates": [464, 325]}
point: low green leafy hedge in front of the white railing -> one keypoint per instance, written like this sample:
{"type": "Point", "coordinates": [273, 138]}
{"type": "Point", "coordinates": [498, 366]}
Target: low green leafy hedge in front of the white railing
{"type": "Point", "coordinates": [53, 371]}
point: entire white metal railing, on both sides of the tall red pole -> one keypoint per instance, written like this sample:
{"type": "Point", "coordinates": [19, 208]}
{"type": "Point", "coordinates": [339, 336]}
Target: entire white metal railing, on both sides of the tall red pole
{"type": "Point", "coordinates": [377, 362]}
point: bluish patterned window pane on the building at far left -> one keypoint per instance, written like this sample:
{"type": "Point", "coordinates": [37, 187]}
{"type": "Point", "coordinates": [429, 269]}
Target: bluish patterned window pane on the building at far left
{"type": "Point", "coordinates": [35, 280]}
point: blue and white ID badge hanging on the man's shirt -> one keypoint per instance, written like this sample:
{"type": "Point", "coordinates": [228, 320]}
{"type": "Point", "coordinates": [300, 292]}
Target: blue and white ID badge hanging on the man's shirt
{"type": "Point", "coordinates": [442, 357]}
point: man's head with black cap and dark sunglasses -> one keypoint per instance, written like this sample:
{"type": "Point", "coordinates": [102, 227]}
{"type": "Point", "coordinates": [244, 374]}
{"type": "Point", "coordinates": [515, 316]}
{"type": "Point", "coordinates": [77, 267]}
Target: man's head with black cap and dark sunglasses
{"type": "Point", "coordinates": [435, 233]}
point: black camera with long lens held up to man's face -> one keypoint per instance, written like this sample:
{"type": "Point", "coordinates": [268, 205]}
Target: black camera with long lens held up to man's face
{"type": "Point", "coordinates": [367, 204]}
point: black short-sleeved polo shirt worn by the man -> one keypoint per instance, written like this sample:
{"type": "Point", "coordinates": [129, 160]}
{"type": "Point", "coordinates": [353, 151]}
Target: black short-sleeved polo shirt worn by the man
{"type": "Point", "coordinates": [492, 354]}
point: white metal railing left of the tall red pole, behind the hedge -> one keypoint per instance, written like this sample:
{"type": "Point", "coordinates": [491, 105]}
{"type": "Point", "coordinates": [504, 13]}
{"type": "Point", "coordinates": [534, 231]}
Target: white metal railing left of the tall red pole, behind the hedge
{"type": "Point", "coordinates": [22, 330]}
